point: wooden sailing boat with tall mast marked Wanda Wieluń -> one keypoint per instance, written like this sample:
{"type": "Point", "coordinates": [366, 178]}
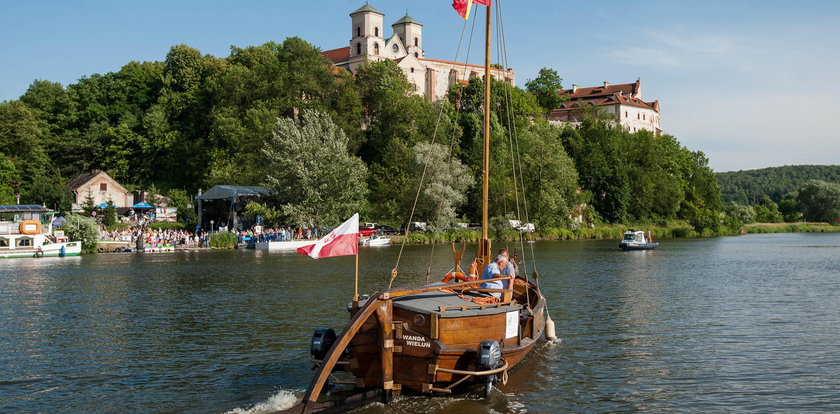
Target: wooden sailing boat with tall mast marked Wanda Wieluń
{"type": "Point", "coordinates": [431, 339]}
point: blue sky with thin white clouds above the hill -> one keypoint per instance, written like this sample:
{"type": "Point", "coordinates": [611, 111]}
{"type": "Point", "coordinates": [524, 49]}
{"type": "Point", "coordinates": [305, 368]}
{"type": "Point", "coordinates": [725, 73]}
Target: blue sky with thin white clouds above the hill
{"type": "Point", "coordinates": [750, 83]}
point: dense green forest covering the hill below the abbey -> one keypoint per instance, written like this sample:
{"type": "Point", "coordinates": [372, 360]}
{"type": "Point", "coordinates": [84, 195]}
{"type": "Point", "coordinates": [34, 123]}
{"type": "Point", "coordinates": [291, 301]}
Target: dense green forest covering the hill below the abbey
{"type": "Point", "coordinates": [327, 142]}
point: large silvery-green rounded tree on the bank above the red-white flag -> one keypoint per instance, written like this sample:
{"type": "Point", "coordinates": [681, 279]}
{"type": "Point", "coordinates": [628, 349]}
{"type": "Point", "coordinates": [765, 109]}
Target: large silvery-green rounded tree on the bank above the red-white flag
{"type": "Point", "coordinates": [318, 182]}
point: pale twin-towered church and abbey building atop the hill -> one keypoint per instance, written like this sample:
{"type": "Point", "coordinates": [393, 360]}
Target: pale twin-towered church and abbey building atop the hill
{"type": "Point", "coordinates": [429, 77]}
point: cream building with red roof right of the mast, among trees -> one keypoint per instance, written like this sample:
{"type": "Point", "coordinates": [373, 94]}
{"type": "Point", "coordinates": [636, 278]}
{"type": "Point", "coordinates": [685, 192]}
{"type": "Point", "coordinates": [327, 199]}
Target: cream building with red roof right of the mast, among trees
{"type": "Point", "coordinates": [624, 102]}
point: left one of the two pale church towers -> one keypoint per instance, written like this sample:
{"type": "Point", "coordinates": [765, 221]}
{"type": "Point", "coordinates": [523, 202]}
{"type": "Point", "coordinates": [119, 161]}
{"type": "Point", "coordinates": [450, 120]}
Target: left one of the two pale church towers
{"type": "Point", "coordinates": [367, 41]}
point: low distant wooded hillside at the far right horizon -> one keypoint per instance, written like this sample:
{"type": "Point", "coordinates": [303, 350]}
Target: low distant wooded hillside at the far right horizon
{"type": "Point", "coordinates": [747, 187]}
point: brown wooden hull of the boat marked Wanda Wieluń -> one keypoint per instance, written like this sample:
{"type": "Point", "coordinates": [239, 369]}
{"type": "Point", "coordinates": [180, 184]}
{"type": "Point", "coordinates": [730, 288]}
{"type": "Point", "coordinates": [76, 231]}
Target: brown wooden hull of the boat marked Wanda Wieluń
{"type": "Point", "coordinates": [427, 347]}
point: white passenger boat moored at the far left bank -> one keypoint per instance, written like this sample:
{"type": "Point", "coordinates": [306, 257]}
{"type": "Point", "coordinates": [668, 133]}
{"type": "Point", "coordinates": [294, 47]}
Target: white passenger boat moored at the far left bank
{"type": "Point", "coordinates": [26, 231]}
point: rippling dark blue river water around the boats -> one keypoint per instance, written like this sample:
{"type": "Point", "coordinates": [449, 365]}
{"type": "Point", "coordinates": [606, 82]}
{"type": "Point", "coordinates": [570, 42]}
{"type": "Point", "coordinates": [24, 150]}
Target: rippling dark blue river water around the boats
{"type": "Point", "coordinates": [748, 323]}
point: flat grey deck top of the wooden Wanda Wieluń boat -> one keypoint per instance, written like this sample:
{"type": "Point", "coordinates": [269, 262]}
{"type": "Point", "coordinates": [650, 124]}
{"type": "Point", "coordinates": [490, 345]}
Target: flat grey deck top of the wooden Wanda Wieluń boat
{"type": "Point", "coordinates": [448, 305]}
